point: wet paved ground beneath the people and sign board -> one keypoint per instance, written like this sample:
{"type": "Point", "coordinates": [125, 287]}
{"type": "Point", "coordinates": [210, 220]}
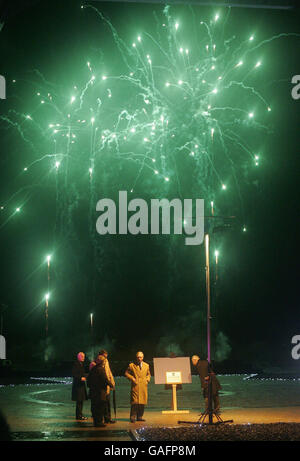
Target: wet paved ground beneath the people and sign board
{"type": "Point", "coordinates": [42, 410]}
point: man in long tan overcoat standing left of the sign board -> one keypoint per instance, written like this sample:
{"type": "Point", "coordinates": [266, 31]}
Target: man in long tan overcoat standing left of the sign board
{"type": "Point", "coordinates": [139, 374]}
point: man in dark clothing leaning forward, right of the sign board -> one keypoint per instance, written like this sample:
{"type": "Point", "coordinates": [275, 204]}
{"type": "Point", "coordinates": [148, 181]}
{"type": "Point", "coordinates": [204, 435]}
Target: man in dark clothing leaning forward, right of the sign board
{"type": "Point", "coordinates": [204, 375]}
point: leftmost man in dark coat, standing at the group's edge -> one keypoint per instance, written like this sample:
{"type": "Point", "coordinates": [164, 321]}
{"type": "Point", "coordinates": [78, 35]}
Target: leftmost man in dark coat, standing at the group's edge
{"type": "Point", "coordinates": [79, 393]}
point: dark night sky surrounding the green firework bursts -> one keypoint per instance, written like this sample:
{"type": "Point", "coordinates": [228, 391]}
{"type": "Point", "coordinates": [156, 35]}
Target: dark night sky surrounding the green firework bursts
{"type": "Point", "coordinates": [145, 298]}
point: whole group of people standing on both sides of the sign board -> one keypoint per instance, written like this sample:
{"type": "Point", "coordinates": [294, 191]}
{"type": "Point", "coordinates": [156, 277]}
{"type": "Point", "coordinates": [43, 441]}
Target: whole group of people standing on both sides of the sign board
{"type": "Point", "coordinates": [100, 382]}
